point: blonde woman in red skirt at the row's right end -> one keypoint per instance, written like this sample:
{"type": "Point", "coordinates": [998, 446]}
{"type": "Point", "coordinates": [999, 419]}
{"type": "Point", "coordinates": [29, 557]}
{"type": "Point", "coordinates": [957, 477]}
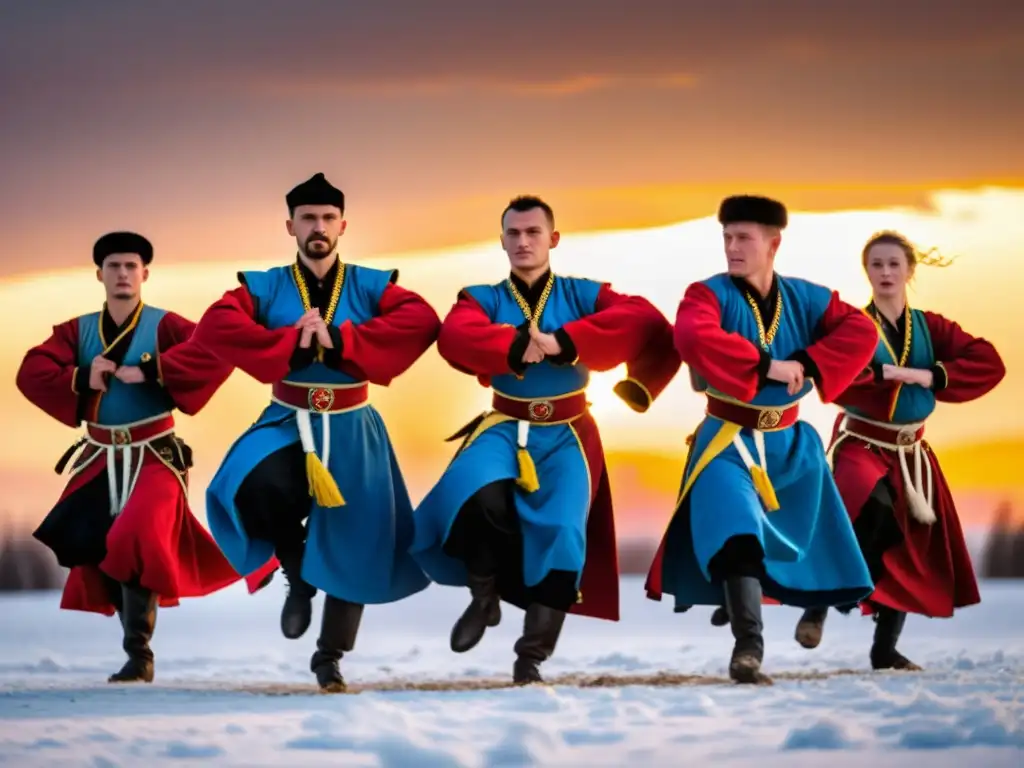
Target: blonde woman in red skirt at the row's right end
{"type": "Point", "coordinates": [903, 509]}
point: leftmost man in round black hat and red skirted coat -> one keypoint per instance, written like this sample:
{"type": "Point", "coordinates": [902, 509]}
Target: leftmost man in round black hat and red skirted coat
{"type": "Point", "coordinates": [122, 524]}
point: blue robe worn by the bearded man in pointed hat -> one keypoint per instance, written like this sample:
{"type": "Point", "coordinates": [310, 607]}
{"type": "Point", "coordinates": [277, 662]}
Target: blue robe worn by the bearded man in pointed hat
{"type": "Point", "coordinates": [357, 552]}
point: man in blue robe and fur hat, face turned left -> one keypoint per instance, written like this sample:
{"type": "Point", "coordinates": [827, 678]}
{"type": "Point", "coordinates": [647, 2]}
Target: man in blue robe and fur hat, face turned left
{"type": "Point", "coordinates": [759, 515]}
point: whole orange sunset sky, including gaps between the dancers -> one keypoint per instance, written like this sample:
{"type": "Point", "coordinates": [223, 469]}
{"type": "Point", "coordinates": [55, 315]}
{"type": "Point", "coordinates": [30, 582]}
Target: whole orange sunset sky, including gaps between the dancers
{"type": "Point", "coordinates": [190, 123]}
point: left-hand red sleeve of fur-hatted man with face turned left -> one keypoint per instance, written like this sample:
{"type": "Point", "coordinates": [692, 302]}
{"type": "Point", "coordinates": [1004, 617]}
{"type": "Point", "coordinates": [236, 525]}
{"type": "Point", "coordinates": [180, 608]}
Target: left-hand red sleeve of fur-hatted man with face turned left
{"type": "Point", "coordinates": [729, 362]}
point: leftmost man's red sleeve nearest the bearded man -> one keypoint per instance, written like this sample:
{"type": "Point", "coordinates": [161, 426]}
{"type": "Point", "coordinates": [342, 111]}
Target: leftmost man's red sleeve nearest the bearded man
{"type": "Point", "coordinates": [190, 373]}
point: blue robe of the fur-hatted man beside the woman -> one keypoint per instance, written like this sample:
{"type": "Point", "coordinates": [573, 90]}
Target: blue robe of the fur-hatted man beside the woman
{"type": "Point", "coordinates": [812, 553]}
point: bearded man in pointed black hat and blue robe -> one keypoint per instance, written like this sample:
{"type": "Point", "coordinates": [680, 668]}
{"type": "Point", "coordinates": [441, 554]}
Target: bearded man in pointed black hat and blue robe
{"type": "Point", "coordinates": [316, 482]}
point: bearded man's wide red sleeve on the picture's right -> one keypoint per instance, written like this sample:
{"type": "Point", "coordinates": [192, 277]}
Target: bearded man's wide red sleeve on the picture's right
{"type": "Point", "coordinates": [388, 346]}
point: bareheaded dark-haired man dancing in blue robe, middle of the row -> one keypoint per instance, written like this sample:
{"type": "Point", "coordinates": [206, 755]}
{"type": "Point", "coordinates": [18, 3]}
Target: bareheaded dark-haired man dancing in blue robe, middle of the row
{"type": "Point", "coordinates": [524, 513]}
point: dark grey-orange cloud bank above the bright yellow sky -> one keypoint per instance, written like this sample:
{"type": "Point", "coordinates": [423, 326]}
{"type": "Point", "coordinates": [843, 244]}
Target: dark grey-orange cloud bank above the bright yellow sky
{"type": "Point", "coordinates": [190, 120]}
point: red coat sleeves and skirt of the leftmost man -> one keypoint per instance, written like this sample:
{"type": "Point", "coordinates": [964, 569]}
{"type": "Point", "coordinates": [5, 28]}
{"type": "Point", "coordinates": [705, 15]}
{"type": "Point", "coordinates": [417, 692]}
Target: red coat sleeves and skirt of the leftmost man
{"type": "Point", "coordinates": [156, 538]}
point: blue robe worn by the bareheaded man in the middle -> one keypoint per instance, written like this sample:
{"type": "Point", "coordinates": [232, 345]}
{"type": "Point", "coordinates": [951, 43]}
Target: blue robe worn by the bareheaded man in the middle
{"type": "Point", "coordinates": [553, 519]}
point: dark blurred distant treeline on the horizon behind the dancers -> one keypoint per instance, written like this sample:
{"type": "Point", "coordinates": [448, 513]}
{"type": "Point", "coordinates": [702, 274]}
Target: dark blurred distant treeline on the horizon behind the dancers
{"type": "Point", "coordinates": [27, 565]}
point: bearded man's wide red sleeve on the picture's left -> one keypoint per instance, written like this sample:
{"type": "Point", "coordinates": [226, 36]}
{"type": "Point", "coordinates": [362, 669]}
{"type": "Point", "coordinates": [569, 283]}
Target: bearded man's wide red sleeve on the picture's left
{"type": "Point", "coordinates": [230, 331]}
